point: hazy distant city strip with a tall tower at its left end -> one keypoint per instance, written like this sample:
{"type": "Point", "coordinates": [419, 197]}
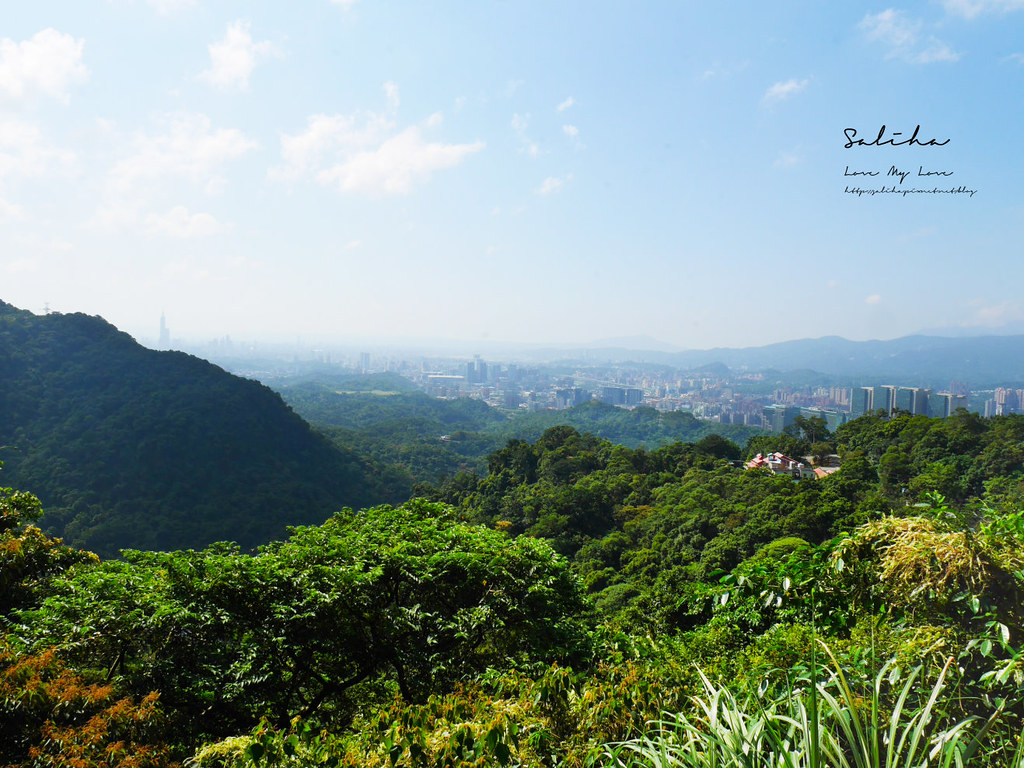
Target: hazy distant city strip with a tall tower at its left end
{"type": "Point", "coordinates": [772, 401]}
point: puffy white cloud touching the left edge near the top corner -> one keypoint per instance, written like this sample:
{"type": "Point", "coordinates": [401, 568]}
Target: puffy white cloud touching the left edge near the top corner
{"type": "Point", "coordinates": [51, 63]}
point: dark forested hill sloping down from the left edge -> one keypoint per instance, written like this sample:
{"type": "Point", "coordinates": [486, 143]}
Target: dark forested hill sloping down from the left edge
{"type": "Point", "coordinates": [134, 448]}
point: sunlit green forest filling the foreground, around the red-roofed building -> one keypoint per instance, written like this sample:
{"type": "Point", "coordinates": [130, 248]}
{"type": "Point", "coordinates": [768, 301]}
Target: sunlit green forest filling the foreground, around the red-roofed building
{"type": "Point", "coordinates": [550, 611]}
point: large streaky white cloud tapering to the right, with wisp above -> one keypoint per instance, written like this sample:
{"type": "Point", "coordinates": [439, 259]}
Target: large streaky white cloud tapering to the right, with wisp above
{"type": "Point", "coordinates": [367, 153]}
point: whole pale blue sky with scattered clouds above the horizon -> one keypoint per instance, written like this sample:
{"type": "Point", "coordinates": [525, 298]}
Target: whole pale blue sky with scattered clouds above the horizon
{"type": "Point", "coordinates": [515, 170]}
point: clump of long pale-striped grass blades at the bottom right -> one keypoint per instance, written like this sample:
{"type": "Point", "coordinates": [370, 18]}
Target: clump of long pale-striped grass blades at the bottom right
{"type": "Point", "coordinates": [823, 724]}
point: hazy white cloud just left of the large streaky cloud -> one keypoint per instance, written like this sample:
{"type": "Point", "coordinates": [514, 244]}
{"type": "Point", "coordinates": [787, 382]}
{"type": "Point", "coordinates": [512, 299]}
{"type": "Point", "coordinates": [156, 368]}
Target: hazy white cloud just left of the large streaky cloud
{"type": "Point", "coordinates": [188, 147]}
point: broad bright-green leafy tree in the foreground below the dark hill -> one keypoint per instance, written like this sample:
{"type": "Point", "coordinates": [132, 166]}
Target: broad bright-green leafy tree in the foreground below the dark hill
{"type": "Point", "coordinates": [316, 626]}
